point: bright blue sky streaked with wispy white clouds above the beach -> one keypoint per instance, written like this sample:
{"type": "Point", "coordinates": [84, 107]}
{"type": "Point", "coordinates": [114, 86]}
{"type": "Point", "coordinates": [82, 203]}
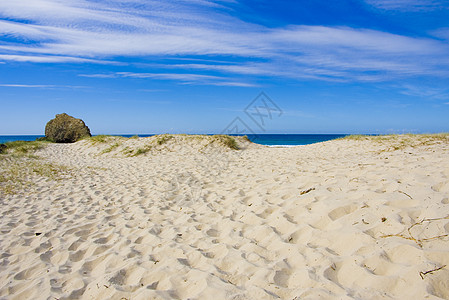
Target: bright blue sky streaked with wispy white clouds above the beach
{"type": "Point", "coordinates": [229, 66]}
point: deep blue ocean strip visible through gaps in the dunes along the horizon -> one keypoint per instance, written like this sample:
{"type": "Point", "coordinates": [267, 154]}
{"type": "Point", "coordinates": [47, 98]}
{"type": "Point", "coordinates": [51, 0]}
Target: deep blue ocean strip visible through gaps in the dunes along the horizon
{"type": "Point", "coordinates": [279, 140]}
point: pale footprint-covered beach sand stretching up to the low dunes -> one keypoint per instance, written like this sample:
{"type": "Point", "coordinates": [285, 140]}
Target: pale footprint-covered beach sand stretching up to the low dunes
{"type": "Point", "coordinates": [344, 219]}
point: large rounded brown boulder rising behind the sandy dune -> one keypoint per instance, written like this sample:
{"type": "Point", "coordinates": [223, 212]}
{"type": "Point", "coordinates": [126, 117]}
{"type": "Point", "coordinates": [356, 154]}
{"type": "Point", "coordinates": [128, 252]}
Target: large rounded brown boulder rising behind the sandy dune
{"type": "Point", "coordinates": [66, 129]}
